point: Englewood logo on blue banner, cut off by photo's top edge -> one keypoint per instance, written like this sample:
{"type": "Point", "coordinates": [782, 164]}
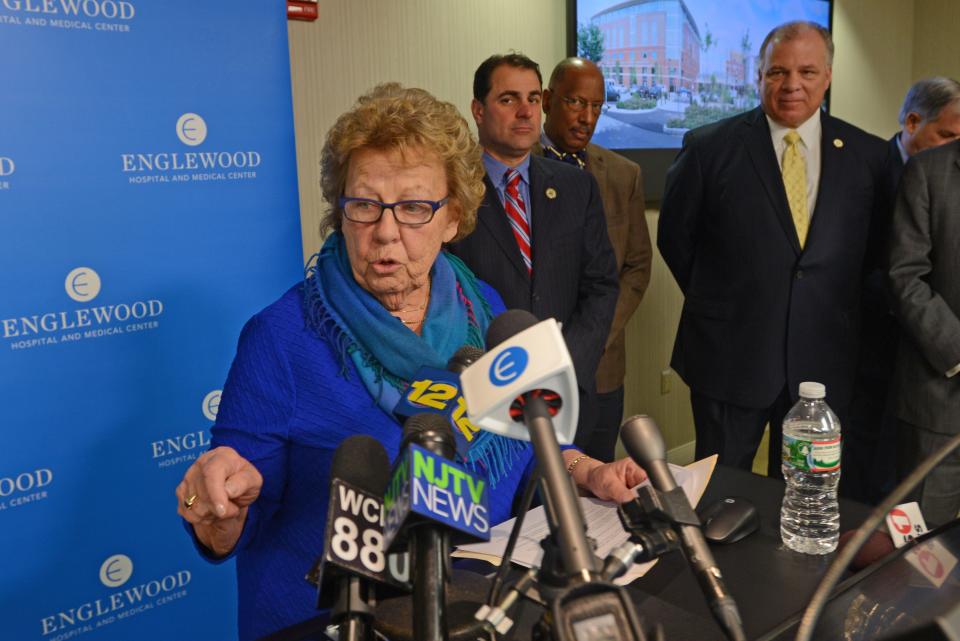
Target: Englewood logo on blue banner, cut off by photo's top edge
{"type": "Point", "coordinates": [81, 15]}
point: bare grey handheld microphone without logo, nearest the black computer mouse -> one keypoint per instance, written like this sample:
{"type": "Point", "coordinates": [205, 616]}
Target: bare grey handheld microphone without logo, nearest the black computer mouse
{"type": "Point", "coordinates": [643, 441]}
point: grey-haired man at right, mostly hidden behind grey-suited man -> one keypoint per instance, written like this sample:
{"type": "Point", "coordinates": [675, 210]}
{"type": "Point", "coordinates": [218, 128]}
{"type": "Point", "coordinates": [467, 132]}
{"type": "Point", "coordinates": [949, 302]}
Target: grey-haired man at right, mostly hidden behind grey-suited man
{"type": "Point", "coordinates": [929, 117]}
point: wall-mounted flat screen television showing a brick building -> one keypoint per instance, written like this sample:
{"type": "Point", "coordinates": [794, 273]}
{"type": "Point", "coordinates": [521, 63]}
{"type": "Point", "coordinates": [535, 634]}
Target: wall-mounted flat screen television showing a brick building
{"type": "Point", "coordinates": [673, 65]}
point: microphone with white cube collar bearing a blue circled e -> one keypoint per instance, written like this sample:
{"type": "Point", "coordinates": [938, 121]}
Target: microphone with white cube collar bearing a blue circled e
{"type": "Point", "coordinates": [527, 377]}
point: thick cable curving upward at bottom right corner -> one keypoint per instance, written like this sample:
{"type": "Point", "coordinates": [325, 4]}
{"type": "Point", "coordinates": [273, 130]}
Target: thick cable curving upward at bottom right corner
{"type": "Point", "coordinates": [829, 581]}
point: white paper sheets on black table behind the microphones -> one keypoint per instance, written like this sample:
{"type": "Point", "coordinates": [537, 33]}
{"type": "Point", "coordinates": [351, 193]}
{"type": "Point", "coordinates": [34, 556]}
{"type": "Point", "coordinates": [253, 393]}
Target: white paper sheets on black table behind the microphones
{"type": "Point", "coordinates": [603, 525]}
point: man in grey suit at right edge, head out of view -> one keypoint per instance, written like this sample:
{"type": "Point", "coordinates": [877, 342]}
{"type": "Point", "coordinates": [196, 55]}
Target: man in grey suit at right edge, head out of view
{"type": "Point", "coordinates": [925, 280]}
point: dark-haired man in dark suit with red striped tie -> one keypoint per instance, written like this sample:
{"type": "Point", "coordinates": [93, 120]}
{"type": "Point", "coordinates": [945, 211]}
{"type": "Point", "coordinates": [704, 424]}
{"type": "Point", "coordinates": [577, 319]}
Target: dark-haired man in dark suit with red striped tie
{"type": "Point", "coordinates": [541, 240]}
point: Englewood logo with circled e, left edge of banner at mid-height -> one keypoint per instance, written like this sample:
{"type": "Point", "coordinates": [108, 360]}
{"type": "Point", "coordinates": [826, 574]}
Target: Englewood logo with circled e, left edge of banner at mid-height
{"type": "Point", "coordinates": [56, 327]}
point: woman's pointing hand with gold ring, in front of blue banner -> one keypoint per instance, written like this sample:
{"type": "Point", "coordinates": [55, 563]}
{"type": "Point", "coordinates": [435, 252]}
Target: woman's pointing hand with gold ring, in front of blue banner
{"type": "Point", "coordinates": [214, 496]}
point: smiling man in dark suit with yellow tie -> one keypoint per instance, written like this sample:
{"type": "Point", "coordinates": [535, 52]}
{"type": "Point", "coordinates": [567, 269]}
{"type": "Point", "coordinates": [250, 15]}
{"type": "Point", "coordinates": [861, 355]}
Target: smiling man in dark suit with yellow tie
{"type": "Point", "coordinates": [764, 224]}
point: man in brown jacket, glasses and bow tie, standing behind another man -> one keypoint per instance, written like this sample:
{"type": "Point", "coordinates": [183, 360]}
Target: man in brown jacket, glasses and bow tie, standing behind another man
{"type": "Point", "coordinates": [572, 105]}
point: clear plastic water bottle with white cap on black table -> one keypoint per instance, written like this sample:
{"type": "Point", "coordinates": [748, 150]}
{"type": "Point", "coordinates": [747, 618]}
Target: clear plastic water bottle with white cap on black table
{"type": "Point", "coordinates": [810, 516]}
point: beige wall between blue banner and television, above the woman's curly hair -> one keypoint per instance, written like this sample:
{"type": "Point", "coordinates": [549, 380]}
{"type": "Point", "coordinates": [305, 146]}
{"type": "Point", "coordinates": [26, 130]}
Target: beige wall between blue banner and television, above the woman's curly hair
{"type": "Point", "coordinates": [433, 44]}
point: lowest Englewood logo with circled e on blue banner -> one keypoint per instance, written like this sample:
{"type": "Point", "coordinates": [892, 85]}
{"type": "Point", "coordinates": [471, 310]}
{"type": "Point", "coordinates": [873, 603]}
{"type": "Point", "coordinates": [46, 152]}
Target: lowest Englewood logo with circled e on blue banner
{"type": "Point", "coordinates": [124, 601]}
